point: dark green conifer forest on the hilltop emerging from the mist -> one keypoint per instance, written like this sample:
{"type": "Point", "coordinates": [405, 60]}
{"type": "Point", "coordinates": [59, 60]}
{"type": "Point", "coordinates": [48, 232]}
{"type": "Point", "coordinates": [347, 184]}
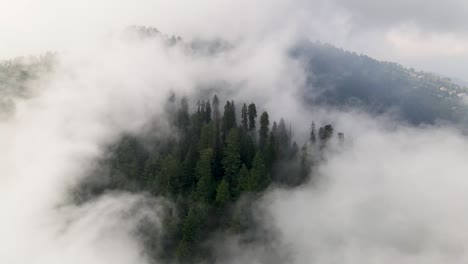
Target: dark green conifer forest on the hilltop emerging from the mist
{"type": "Point", "coordinates": [216, 158]}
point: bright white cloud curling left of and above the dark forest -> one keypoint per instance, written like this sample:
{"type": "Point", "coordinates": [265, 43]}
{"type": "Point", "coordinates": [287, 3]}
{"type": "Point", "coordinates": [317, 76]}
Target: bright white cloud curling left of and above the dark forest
{"type": "Point", "coordinates": [96, 92]}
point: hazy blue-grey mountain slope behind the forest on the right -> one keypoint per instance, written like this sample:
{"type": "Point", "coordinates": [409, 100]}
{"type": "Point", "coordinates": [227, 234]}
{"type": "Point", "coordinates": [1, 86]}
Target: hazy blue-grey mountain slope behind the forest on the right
{"type": "Point", "coordinates": [340, 78]}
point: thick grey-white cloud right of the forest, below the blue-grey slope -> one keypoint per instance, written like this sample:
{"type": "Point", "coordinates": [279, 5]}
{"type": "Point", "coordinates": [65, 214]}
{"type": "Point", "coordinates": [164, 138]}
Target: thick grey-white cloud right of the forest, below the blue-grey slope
{"type": "Point", "coordinates": [392, 195]}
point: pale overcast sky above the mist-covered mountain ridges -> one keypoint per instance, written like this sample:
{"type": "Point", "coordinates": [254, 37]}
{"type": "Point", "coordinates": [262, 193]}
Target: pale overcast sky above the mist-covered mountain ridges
{"type": "Point", "coordinates": [425, 34]}
